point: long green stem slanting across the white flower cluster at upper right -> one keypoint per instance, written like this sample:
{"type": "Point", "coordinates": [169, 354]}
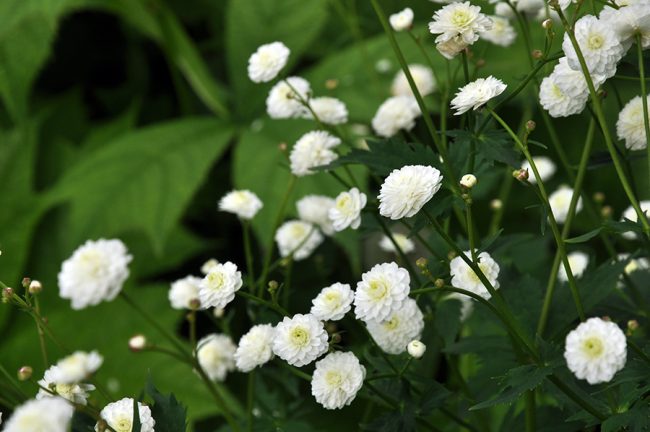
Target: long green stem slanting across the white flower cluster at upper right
{"type": "Point", "coordinates": [603, 125]}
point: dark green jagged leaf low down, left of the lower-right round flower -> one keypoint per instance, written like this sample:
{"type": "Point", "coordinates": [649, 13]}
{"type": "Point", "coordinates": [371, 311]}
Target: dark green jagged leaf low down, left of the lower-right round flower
{"type": "Point", "coordinates": [515, 383]}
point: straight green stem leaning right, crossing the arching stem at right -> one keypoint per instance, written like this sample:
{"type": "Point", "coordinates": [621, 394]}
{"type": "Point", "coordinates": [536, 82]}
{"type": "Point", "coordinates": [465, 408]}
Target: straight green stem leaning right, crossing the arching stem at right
{"type": "Point", "coordinates": [582, 169]}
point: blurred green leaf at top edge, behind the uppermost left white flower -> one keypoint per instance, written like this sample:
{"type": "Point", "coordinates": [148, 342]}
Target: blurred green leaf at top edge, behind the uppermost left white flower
{"type": "Point", "coordinates": [251, 23]}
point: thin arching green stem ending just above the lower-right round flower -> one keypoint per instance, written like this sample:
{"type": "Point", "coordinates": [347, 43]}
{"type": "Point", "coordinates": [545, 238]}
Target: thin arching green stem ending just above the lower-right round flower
{"type": "Point", "coordinates": [554, 227]}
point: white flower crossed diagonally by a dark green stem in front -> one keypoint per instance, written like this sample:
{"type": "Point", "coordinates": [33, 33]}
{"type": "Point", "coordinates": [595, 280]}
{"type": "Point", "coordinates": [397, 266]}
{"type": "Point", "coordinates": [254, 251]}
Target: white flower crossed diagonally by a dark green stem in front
{"type": "Point", "coordinates": [462, 275]}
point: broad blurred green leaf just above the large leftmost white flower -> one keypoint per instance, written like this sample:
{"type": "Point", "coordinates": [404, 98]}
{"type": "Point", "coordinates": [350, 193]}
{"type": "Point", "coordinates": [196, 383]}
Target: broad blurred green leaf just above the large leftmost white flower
{"type": "Point", "coordinates": [142, 180]}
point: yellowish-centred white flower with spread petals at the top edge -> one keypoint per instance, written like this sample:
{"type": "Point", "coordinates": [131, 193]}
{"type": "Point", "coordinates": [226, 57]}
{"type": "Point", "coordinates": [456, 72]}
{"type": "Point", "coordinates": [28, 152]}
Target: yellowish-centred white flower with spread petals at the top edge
{"type": "Point", "coordinates": [460, 22]}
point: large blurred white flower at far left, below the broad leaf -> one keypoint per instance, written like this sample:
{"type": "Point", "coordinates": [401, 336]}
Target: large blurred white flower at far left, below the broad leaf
{"type": "Point", "coordinates": [94, 273]}
